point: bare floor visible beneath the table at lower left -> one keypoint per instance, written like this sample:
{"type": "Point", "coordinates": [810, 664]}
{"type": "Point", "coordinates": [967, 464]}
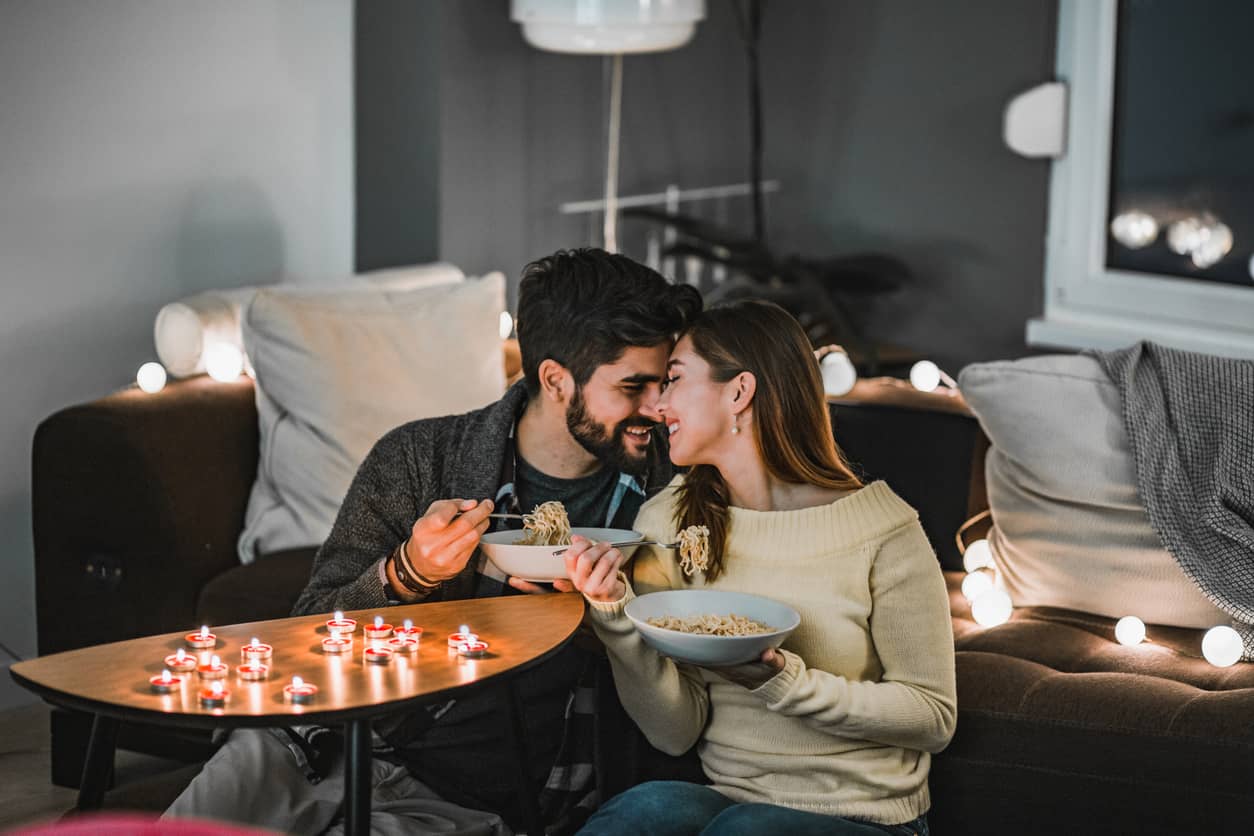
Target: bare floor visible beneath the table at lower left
{"type": "Point", "coordinates": [27, 794]}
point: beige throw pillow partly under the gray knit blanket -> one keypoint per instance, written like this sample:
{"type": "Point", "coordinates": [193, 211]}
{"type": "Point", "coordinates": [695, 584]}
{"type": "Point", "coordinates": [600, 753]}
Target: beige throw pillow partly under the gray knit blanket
{"type": "Point", "coordinates": [1070, 530]}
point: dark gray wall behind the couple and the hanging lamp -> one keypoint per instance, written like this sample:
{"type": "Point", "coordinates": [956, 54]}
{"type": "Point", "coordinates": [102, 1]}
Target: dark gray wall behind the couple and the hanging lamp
{"type": "Point", "coordinates": [883, 122]}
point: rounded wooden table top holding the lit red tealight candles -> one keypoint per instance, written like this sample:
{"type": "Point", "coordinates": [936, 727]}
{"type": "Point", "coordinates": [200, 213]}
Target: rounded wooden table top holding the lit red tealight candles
{"type": "Point", "coordinates": [113, 680]}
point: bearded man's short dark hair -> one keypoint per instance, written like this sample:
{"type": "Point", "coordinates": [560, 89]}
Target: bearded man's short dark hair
{"type": "Point", "coordinates": [585, 308]}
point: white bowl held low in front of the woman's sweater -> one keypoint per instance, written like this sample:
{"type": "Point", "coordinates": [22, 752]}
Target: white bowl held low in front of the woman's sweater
{"type": "Point", "coordinates": [712, 651]}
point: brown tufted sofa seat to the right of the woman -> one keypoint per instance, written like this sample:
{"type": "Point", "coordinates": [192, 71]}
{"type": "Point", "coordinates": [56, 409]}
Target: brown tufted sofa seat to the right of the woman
{"type": "Point", "coordinates": [1090, 735]}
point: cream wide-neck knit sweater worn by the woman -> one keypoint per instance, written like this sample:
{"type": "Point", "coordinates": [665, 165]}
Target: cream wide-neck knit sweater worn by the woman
{"type": "Point", "coordinates": [868, 689]}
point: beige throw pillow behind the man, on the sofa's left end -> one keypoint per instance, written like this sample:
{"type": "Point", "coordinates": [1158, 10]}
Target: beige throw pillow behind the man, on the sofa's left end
{"type": "Point", "coordinates": [337, 370]}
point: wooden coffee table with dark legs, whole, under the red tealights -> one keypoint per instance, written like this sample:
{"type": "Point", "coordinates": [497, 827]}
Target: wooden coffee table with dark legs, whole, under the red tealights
{"type": "Point", "coordinates": [111, 681]}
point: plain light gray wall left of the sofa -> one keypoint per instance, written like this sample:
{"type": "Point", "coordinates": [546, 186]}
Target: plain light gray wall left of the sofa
{"type": "Point", "coordinates": [151, 150]}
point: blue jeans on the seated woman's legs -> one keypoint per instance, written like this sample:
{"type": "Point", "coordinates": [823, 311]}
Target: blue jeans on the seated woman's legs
{"type": "Point", "coordinates": [682, 809]}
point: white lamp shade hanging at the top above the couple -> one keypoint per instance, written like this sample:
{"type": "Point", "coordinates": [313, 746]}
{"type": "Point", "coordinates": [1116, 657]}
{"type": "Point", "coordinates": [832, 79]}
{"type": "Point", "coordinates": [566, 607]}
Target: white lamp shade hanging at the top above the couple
{"type": "Point", "coordinates": [608, 27]}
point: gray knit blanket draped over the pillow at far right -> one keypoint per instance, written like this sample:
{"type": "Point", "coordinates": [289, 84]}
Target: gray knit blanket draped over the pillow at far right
{"type": "Point", "coordinates": [1191, 422]}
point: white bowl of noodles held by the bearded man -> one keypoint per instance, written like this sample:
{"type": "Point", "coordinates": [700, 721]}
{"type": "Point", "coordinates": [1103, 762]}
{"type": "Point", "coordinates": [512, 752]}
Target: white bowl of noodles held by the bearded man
{"type": "Point", "coordinates": [527, 553]}
